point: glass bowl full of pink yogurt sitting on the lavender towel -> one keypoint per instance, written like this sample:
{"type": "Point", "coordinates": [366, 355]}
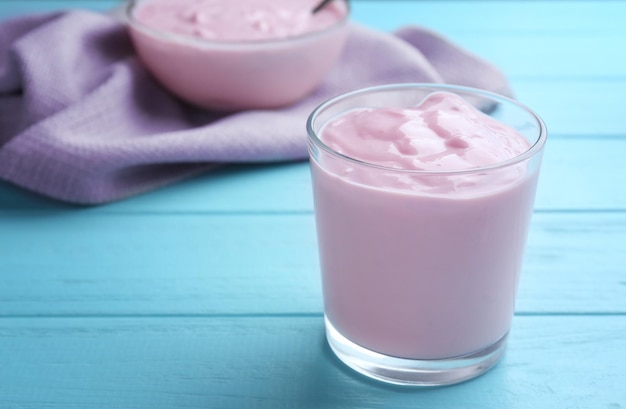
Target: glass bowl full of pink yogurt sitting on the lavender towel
{"type": "Point", "coordinates": [234, 55]}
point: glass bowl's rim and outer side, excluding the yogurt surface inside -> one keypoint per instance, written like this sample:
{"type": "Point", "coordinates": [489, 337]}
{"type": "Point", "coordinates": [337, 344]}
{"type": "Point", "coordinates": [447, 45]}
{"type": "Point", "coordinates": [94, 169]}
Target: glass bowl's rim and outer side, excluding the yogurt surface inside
{"type": "Point", "coordinates": [237, 75]}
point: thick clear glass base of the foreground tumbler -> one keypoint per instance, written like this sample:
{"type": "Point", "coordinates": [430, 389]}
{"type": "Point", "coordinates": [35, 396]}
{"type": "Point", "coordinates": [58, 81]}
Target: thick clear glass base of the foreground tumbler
{"type": "Point", "coordinates": [401, 371]}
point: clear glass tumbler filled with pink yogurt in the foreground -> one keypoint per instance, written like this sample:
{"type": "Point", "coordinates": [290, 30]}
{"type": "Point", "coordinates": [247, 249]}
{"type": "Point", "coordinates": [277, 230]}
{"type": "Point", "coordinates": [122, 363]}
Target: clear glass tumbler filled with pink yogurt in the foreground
{"type": "Point", "coordinates": [423, 198]}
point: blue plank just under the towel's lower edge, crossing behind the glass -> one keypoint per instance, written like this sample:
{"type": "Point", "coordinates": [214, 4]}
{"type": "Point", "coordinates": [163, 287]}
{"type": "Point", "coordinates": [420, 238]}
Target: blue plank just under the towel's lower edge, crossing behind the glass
{"type": "Point", "coordinates": [573, 177]}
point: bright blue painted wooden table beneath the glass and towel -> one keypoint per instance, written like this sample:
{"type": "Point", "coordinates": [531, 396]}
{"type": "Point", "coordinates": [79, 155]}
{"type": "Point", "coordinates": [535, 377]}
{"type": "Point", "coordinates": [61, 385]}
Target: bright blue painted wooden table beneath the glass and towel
{"type": "Point", "coordinates": [206, 294]}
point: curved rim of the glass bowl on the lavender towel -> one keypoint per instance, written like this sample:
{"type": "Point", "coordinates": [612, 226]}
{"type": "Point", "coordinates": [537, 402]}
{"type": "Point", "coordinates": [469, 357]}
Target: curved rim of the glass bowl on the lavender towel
{"type": "Point", "coordinates": [238, 44]}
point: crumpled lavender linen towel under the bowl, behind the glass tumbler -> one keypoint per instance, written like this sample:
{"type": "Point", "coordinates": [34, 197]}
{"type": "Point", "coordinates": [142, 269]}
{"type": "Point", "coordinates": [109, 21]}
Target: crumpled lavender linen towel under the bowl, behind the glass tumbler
{"type": "Point", "coordinates": [82, 121]}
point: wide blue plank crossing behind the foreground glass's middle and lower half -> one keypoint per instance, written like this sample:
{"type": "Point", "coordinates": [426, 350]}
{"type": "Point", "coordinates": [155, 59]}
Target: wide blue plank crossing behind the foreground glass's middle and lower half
{"type": "Point", "coordinates": [85, 263]}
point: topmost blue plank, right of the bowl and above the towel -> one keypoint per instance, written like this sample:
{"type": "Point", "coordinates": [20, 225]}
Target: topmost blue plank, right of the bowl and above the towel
{"type": "Point", "coordinates": [512, 17]}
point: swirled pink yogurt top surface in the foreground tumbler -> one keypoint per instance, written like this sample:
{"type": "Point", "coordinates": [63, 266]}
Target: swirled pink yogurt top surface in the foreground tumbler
{"type": "Point", "coordinates": [443, 133]}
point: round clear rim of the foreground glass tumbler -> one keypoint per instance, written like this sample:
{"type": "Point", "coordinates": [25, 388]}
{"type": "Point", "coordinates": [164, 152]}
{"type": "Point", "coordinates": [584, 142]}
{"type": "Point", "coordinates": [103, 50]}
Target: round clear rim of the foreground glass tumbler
{"type": "Point", "coordinates": [534, 149]}
